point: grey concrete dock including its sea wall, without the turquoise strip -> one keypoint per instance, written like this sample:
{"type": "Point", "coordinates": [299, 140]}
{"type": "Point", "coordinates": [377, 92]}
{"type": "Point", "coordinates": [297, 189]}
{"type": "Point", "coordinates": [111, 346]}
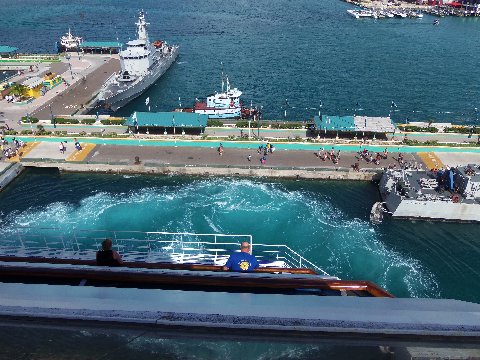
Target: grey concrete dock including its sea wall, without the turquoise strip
{"type": "Point", "coordinates": [189, 160]}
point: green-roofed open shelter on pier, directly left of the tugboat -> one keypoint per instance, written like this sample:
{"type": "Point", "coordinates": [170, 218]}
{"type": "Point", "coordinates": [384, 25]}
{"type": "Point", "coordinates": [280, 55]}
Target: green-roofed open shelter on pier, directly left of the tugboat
{"type": "Point", "coordinates": [170, 122]}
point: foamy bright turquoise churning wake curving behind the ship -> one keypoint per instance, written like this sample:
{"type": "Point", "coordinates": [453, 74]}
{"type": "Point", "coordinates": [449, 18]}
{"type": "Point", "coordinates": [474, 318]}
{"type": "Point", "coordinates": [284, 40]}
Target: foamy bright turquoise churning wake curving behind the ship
{"type": "Point", "coordinates": [272, 212]}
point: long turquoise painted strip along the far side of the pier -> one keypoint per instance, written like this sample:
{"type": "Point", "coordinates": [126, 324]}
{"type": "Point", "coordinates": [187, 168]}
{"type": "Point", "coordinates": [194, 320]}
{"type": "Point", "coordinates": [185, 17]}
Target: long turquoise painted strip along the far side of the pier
{"type": "Point", "coordinates": [254, 145]}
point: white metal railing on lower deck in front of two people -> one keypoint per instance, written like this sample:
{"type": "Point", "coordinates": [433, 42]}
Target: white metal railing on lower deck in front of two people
{"type": "Point", "coordinates": [140, 246]}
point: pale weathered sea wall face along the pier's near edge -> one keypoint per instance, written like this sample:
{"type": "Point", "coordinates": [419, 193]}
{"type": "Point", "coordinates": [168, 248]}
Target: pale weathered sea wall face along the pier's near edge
{"type": "Point", "coordinates": [270, 172]}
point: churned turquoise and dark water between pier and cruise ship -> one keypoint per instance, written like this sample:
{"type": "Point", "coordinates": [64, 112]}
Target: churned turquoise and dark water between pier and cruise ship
{"type": "Point", "coordinates": [325, 221]}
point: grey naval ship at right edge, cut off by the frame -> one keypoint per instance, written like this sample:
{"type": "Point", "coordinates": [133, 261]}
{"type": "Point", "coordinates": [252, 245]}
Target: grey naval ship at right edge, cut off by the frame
{"type": "Point", "coordinates": [445, 195]}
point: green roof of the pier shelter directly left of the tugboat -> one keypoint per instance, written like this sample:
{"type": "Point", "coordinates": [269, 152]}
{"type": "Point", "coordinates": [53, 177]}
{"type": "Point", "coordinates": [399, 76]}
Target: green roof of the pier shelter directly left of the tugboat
{"type": "Point", "coordinates": [167, 119]}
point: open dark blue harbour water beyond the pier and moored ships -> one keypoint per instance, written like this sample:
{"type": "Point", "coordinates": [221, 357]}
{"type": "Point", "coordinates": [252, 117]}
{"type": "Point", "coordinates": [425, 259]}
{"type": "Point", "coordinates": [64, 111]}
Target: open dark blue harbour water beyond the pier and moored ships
{"type": "Point", "coordinates": [305, 51]}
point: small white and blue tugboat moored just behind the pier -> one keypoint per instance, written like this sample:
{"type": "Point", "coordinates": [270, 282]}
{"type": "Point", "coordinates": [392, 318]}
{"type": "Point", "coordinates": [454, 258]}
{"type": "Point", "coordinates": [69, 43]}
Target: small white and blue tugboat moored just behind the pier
{"type": "Point", "coordinates": [225, 105]}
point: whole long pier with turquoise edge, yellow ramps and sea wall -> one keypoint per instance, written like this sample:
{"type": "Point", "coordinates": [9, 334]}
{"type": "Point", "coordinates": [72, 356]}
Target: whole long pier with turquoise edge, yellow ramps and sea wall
{"type": "Point", "coordinates": [182, 157]}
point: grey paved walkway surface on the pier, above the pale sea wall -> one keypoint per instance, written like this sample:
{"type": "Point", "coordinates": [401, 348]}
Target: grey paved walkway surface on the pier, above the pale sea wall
{"type": "Point", "coordinates": [200, 156]}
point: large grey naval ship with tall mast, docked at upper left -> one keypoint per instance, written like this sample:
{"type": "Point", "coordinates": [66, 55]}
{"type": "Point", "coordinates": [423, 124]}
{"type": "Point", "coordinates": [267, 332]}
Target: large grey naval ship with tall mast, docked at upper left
{"type": "Point", "coordinates": [142, 64]}
